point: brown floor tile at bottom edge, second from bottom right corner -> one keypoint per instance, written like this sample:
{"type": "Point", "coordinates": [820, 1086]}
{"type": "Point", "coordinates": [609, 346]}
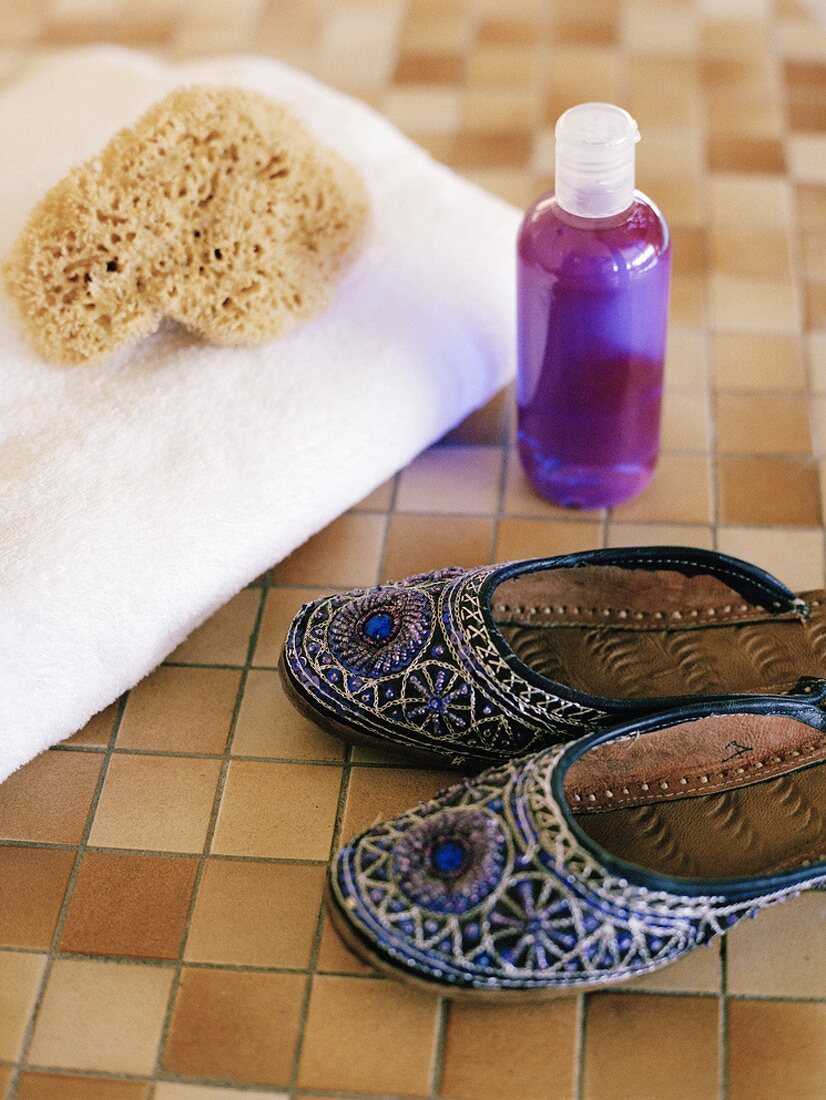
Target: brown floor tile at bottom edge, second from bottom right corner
{"type": "Point", "coordinates": [481, 1041]}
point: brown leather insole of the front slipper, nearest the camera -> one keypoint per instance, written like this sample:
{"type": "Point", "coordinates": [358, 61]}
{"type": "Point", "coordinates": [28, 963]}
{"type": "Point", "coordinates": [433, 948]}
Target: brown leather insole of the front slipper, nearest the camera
{"type": "Point", "coordinates": [642, 799]}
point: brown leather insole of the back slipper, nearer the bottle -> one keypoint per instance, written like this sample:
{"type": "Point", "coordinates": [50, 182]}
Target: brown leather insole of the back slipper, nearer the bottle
{"type": "Point", "coordinates": [630, 634]}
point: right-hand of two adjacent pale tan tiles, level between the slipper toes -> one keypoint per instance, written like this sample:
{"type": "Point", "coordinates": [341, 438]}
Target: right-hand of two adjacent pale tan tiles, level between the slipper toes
{"type": "Point", "coordinates": [278, 810]}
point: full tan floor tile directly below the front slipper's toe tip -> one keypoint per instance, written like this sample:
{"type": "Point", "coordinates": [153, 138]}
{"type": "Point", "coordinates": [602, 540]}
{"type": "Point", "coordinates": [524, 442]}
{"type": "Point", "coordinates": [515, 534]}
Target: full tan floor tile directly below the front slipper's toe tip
{"type": "Point", "coordinates": [392, 1028]}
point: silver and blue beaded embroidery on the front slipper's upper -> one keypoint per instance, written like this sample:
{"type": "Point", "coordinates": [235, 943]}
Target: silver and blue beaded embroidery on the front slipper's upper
{"type": "Point", "coordinates": [537, 911]}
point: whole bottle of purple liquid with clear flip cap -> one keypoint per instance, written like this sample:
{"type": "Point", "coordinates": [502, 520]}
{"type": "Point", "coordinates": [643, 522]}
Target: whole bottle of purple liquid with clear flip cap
{"type": "Point", "coordinates": [594, 263]}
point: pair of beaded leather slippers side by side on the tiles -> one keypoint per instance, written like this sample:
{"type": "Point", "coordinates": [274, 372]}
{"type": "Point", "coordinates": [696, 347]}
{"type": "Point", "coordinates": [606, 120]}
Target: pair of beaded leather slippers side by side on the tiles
{"type": "Point", "coordinates": [654, 727]}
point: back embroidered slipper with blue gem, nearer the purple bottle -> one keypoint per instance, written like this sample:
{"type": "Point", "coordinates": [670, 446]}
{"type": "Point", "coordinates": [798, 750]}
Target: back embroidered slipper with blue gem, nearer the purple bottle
{"type": "Point", "coordinates": [476, 667]}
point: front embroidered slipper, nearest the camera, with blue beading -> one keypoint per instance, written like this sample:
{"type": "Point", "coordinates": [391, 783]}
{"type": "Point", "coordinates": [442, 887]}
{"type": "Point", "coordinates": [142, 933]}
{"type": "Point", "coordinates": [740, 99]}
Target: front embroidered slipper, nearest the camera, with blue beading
{"type": "Point", "coordinates": [587, 866]}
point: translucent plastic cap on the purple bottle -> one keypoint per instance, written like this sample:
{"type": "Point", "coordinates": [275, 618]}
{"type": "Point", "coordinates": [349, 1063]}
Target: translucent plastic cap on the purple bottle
{"type": "Point", "coordinates": [596, 152]}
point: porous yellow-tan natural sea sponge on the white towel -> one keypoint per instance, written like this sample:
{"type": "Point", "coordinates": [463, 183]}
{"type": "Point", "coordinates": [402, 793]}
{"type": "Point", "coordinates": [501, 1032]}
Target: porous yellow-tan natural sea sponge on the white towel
{"type": "Point", "coordinates": [218, 210]}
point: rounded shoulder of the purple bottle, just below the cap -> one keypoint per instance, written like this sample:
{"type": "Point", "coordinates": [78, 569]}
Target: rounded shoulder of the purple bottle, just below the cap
{"type": "Point", "coordinates": [556, 243]}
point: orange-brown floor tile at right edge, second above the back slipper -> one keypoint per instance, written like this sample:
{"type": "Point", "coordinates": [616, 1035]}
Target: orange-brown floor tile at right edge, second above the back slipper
{"type": "Point", "coordinates": [768, 491]}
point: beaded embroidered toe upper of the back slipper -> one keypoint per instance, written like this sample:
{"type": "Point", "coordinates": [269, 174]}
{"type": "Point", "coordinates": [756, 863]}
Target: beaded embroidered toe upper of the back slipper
{"type": "Point", "coordinates": [415, 663]}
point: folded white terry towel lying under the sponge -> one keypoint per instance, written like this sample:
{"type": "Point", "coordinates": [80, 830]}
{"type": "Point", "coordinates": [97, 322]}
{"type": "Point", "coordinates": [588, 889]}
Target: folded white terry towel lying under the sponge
{"type": "Point", "coordinates": [138, 497]}
